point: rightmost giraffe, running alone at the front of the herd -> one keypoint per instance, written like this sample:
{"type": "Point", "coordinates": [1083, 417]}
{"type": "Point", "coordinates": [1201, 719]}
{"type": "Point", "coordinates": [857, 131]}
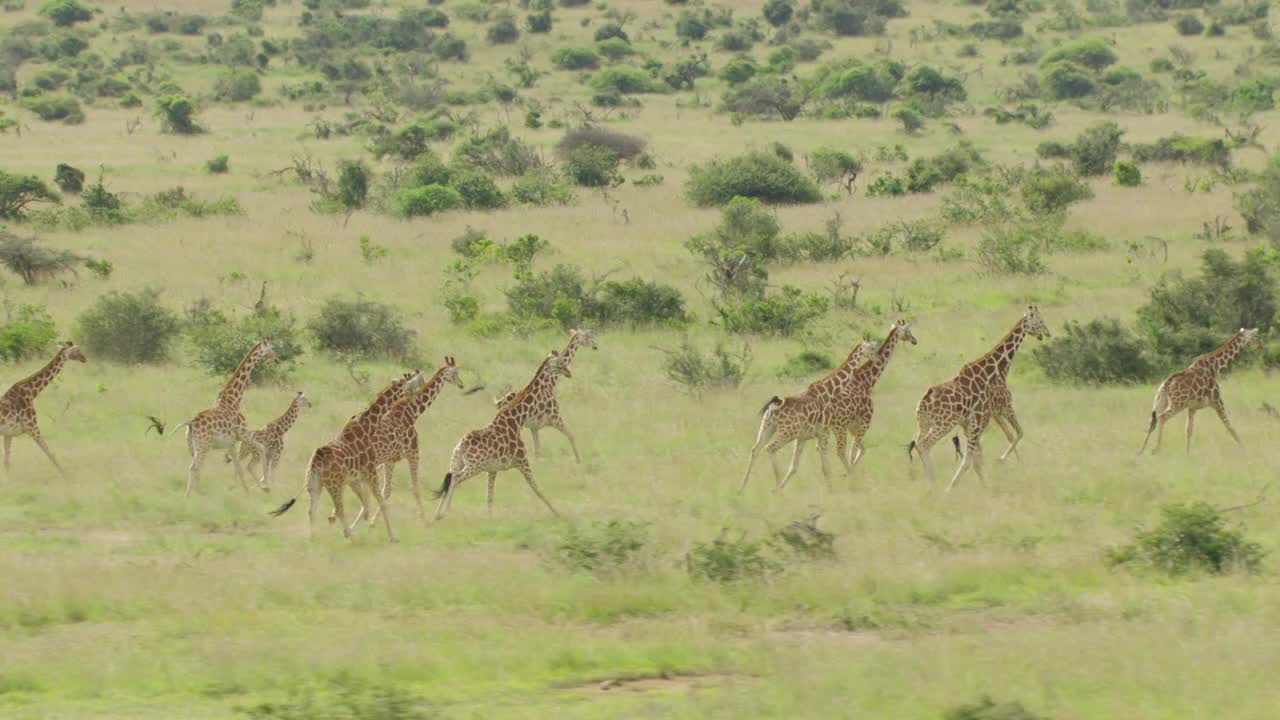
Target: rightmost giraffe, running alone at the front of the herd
{"type": "Point", "coordinates": [1197, 388]}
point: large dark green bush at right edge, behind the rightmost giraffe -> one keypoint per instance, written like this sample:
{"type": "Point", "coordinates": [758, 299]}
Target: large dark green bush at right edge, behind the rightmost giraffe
{"type": "Point", "coordinates": [1188, 317]}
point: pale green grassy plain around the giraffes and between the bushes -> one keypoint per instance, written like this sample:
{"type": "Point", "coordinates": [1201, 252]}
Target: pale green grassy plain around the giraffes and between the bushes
{"type": "Point", "coordinates": [121, 599]}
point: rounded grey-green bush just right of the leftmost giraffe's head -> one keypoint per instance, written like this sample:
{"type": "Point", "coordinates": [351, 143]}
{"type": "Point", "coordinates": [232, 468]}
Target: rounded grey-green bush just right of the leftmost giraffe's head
{"type": "Point", "coordinates": [129, 327]}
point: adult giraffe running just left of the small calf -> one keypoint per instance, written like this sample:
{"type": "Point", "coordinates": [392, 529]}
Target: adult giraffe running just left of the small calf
{"type": "Point", "coordinates": [223, 425]}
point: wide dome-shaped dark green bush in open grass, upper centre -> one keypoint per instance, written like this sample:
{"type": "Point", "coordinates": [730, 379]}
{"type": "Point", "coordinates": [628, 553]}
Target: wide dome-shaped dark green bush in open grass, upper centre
{"type": "Point", "coordinates": [758, 175]}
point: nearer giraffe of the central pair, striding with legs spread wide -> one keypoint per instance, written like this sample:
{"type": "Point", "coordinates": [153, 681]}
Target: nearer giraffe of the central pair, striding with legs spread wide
{"type": "Point", "coordinates": [499, 448]}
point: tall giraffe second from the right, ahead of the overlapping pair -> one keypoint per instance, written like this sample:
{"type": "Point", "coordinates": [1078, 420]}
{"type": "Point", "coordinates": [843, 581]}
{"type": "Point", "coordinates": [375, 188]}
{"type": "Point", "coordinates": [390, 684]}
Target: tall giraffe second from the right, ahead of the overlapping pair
{"type": "Point", "coordinates": [973, 398]}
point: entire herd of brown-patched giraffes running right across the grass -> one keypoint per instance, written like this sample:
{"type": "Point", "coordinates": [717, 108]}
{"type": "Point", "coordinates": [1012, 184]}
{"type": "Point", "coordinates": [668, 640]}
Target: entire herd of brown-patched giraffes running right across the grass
{"type": "Point", "coordinates": [839, 404]}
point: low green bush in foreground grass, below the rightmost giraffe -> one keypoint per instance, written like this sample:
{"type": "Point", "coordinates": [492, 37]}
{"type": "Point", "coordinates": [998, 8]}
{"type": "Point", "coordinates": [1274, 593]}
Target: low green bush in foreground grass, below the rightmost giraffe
{"type": "Point", "coordinates": [1191, 539]}
